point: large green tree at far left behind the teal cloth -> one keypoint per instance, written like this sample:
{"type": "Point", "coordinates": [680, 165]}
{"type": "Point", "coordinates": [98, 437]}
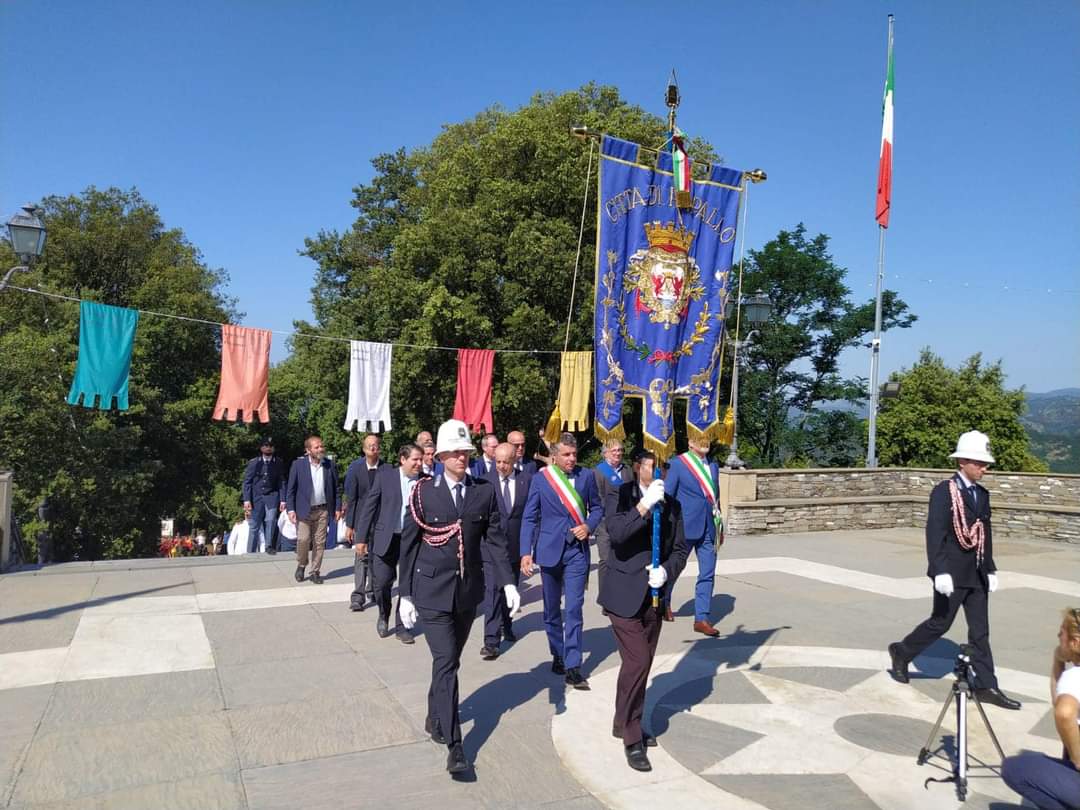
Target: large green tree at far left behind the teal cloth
{"type": "Point", "coordinates": [116, 475]}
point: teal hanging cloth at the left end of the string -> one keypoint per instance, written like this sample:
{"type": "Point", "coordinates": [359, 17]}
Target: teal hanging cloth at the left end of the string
{"type": "Point", "coordinates": [106, 340]}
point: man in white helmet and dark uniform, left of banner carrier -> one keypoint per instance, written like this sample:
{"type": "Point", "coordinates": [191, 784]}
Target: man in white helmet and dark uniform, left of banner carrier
{"type": "Point", "coordinates": [453, 532]}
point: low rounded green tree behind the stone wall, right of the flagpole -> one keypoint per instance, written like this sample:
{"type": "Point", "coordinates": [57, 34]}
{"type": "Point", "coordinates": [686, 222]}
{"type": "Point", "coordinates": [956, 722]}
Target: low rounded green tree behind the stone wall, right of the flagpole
{"type": "Point", "coordinates": [937, 404]}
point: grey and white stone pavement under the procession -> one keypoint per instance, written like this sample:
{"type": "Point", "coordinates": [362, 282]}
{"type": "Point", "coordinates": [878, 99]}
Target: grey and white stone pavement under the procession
{"type": "Point", "coordinates": [218, 683]}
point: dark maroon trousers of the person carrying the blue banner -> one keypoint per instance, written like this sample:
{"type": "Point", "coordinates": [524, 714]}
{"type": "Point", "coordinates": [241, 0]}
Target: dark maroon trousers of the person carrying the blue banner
{"type": "Point", "coordinates": [637, 639]}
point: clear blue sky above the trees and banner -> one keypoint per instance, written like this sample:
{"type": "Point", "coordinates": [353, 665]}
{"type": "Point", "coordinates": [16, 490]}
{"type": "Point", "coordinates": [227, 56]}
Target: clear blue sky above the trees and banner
{"type": "Point", "coordinates": [249, 124]}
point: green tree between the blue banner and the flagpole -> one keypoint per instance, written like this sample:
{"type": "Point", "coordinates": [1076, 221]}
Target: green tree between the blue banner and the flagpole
{"type": "Point", "coordinates": [793, 364]}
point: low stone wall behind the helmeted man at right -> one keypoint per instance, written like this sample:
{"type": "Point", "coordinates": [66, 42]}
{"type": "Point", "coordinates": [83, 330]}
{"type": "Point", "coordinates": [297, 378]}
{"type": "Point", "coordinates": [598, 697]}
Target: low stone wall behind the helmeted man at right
{"type": "Point", "coordinates": [759, 502]}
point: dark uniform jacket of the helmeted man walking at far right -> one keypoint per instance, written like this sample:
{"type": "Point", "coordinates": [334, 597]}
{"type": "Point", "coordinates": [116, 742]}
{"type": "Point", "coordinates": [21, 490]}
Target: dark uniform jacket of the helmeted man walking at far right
{"type": "Point", "coordinates": [944, 552]}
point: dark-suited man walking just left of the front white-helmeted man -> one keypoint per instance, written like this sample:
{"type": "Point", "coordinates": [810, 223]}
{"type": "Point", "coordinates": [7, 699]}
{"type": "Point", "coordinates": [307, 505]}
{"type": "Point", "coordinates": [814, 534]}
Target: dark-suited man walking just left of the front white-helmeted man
{"type": "Point", "coordinates": [380, 530]}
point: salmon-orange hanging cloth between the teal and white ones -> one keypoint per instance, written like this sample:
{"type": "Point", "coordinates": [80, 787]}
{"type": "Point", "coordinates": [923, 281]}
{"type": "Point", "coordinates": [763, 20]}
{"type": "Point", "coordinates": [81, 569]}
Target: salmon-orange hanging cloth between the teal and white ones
{"type": "Point", "coordinates": [246, 374]}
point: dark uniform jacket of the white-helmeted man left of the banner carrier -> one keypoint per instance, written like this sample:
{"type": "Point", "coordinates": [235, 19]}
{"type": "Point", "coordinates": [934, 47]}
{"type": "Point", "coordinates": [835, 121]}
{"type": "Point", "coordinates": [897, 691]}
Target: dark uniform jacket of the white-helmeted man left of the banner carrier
{"type": "Point", "coordinates": [430, 575]}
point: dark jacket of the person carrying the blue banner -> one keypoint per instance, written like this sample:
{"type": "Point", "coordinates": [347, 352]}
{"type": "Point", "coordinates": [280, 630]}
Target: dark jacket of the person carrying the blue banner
{"type": "Point", "coordinates": [626, 584]}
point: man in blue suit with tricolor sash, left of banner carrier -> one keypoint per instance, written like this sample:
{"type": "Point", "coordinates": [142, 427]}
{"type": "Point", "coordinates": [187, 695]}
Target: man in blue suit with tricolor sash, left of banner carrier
{"type": "Point", "coordinates": [562, 510]}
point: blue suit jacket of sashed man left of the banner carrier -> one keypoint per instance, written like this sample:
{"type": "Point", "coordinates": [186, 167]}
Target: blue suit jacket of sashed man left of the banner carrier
{"type": "Point", "coordinates": [546, 525]}
